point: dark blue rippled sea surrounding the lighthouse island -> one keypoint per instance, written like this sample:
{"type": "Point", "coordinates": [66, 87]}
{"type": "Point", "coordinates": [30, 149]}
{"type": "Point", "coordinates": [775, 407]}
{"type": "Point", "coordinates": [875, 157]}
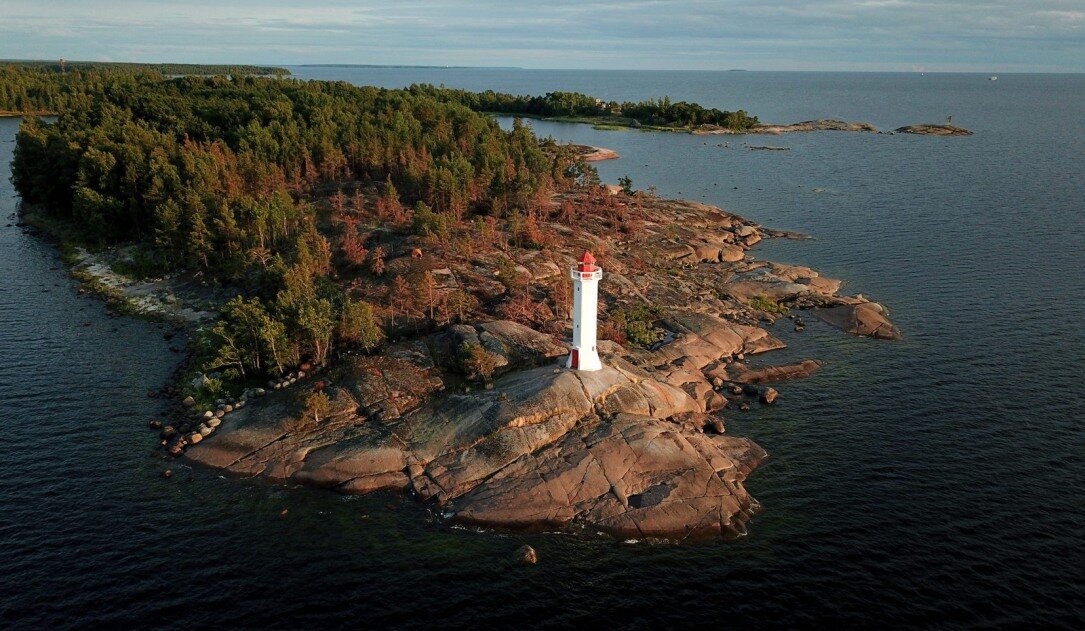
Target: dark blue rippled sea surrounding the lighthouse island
{"type": "Point", "coordinates": [935, 482]}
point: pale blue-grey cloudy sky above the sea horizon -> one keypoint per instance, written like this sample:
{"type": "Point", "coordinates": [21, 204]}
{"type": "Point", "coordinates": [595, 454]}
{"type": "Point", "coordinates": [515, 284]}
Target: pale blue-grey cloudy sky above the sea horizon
{"type": "Point", "coordinates": [758, 35]}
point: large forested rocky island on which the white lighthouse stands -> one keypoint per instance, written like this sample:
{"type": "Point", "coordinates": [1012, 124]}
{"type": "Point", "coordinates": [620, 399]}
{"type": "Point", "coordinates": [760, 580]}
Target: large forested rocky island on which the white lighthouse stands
{"type": "Point", "coordinates": [378, 288]}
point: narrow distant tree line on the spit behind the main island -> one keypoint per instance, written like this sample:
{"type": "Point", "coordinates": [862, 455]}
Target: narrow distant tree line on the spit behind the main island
{"type": "Point", "coordinates": [652, 112]}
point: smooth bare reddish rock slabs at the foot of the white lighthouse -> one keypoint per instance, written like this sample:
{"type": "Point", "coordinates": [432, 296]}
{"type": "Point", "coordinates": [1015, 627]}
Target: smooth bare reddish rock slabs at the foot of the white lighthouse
{"type": "Point", "coordinates": [621, 450]}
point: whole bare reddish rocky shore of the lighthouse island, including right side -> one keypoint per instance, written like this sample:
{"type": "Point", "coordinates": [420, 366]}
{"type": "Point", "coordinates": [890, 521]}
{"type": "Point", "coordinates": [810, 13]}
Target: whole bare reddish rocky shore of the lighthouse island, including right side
{"type": "Point", "coordinates": [637, 450]}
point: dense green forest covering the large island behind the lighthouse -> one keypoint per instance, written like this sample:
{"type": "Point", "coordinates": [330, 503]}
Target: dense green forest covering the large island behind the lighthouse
{"type": "Point", "coordinates": [234, 178]}
